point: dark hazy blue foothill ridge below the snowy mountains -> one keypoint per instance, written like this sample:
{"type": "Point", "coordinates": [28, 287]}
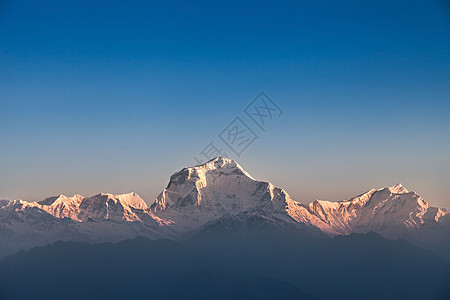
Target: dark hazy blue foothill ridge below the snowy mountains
{"type": "Point", "coordinates": [356, 266]}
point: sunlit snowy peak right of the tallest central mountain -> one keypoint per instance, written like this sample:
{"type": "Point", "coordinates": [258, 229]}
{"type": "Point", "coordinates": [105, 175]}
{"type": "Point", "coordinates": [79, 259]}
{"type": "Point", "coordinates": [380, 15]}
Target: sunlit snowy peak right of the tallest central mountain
{"type": "Point", "coordinates": [390, 211]}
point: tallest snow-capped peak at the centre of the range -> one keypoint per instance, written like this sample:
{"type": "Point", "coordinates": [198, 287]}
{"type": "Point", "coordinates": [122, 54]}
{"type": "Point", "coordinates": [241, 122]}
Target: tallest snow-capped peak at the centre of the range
{"type": "Point", "coordinates": [200, 194]}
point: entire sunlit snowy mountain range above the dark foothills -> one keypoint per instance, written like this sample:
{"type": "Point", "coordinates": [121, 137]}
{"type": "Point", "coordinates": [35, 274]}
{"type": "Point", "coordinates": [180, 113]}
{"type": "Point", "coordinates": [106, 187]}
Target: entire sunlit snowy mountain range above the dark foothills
{"type": "Point", "coordinates": [218, 195]}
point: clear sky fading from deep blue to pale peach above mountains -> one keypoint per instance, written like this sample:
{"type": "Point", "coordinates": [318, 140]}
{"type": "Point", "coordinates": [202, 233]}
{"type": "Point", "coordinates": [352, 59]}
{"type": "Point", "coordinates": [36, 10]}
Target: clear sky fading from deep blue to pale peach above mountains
{"type": "Point", "coordinates": [115, 96]}
